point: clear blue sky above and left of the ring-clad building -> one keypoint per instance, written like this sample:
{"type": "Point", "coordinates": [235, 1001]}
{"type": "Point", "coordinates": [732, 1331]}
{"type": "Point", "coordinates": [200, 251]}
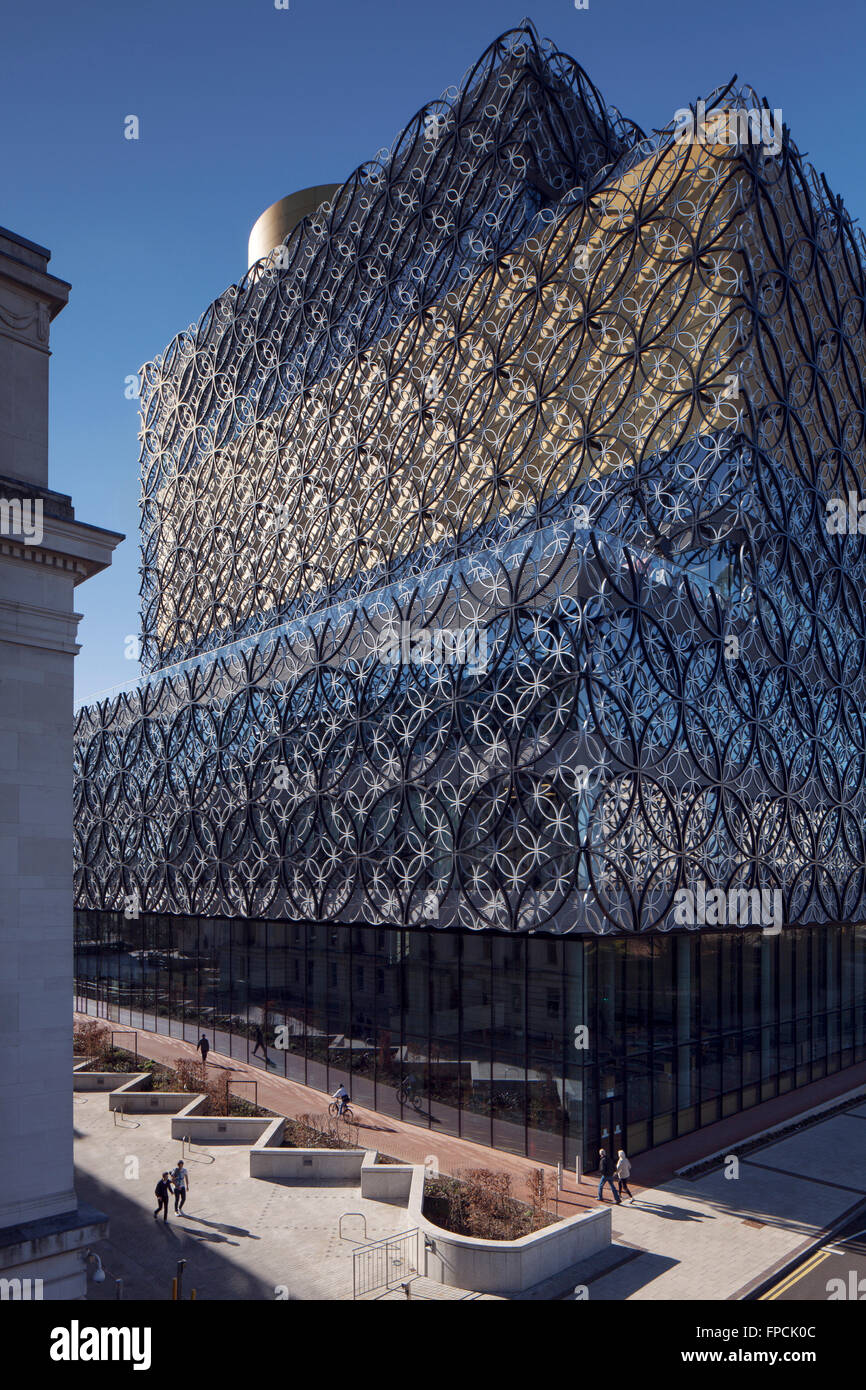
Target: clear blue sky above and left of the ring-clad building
{"type": "Point", "coordinates": [241, 104]}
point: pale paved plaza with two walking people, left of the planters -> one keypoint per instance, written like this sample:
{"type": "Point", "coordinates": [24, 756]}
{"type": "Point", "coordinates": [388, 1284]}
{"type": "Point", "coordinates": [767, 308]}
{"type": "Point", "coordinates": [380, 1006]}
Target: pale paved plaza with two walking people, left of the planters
{"type": "Point", "coordinates": [241, 1238]}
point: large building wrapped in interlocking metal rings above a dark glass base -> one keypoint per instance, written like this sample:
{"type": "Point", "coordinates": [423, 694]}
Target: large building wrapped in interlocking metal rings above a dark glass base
{"type": "Point", "coordinates": [536, 375]}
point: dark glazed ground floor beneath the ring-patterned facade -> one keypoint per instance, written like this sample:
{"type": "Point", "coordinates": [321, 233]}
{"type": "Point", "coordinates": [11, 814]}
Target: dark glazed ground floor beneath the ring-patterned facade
{"type": "Point", "coordinates": [540, 1046]}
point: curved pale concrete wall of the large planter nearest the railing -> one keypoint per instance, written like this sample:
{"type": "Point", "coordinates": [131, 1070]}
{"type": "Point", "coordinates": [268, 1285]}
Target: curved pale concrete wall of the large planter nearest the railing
{"type": "Point", "coordinates": [507, 1267]}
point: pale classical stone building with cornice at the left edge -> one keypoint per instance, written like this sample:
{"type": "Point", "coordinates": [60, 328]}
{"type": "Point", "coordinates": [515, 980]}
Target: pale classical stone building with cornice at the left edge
{"type": "Point", "coordinates": [45, 553]}
